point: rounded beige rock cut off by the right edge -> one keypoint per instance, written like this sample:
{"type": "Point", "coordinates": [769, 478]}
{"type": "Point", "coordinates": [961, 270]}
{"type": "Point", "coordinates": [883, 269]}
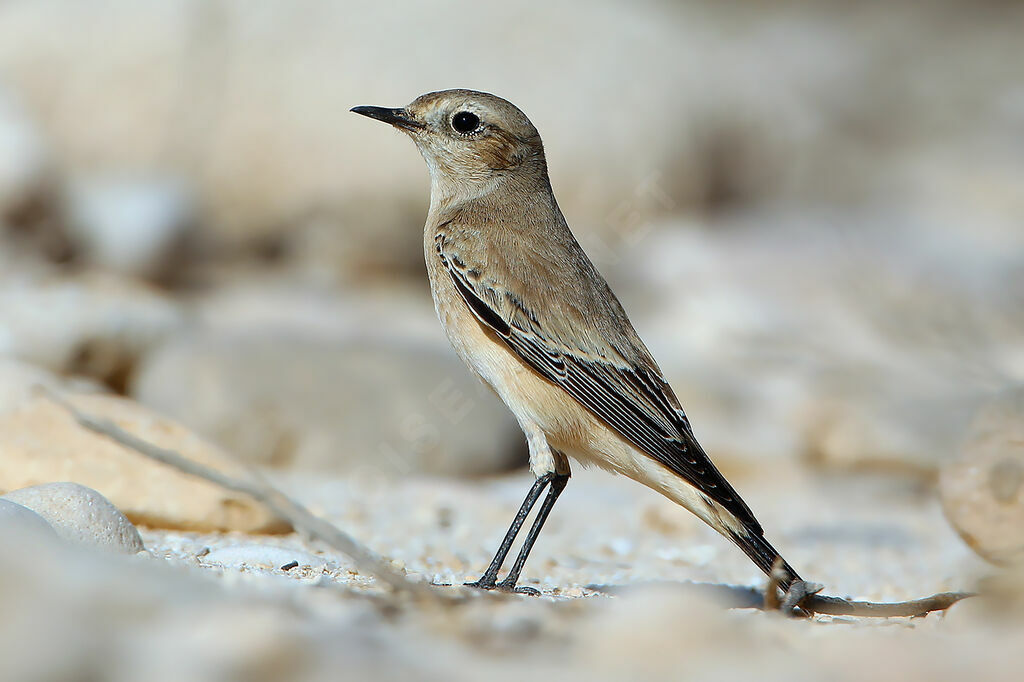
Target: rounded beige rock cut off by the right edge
{"type": "Point", "coordinates": [983, 490]}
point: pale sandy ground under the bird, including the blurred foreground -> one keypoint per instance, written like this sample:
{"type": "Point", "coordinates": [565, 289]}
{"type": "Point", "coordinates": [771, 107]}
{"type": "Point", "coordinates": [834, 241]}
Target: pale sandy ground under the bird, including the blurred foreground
{"type": "Point", "coordinates": [614, 568]}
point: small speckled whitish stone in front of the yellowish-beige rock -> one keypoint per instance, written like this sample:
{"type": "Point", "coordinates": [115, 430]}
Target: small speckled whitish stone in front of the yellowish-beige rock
{"type": "Point", "coordinates": [80, 515]}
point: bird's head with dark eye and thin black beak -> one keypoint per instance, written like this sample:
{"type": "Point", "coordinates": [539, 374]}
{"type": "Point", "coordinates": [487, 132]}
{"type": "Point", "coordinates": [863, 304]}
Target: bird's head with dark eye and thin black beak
{"type": "Point", "coordinates": [470, 140]}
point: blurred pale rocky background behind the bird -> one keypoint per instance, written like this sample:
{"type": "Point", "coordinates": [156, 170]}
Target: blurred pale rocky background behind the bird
{"type": "Point", "coordinates": [814, 211]}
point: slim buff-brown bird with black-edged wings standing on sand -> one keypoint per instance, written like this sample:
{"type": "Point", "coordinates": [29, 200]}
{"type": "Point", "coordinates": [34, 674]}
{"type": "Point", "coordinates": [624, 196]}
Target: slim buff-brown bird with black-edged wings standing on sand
{"type": "Point", "coordinates": [529, 313]}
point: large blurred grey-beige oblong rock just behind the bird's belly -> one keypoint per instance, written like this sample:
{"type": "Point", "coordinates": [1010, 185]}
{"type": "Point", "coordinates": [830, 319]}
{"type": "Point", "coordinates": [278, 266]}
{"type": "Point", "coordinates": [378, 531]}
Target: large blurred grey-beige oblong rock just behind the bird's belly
{"type": "Point", "coordinates": [380, 406]}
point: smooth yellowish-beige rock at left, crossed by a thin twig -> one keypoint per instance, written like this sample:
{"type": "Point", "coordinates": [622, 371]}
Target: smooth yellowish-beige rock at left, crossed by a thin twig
{"type": "Point", "coordinates": [42, 443]}
